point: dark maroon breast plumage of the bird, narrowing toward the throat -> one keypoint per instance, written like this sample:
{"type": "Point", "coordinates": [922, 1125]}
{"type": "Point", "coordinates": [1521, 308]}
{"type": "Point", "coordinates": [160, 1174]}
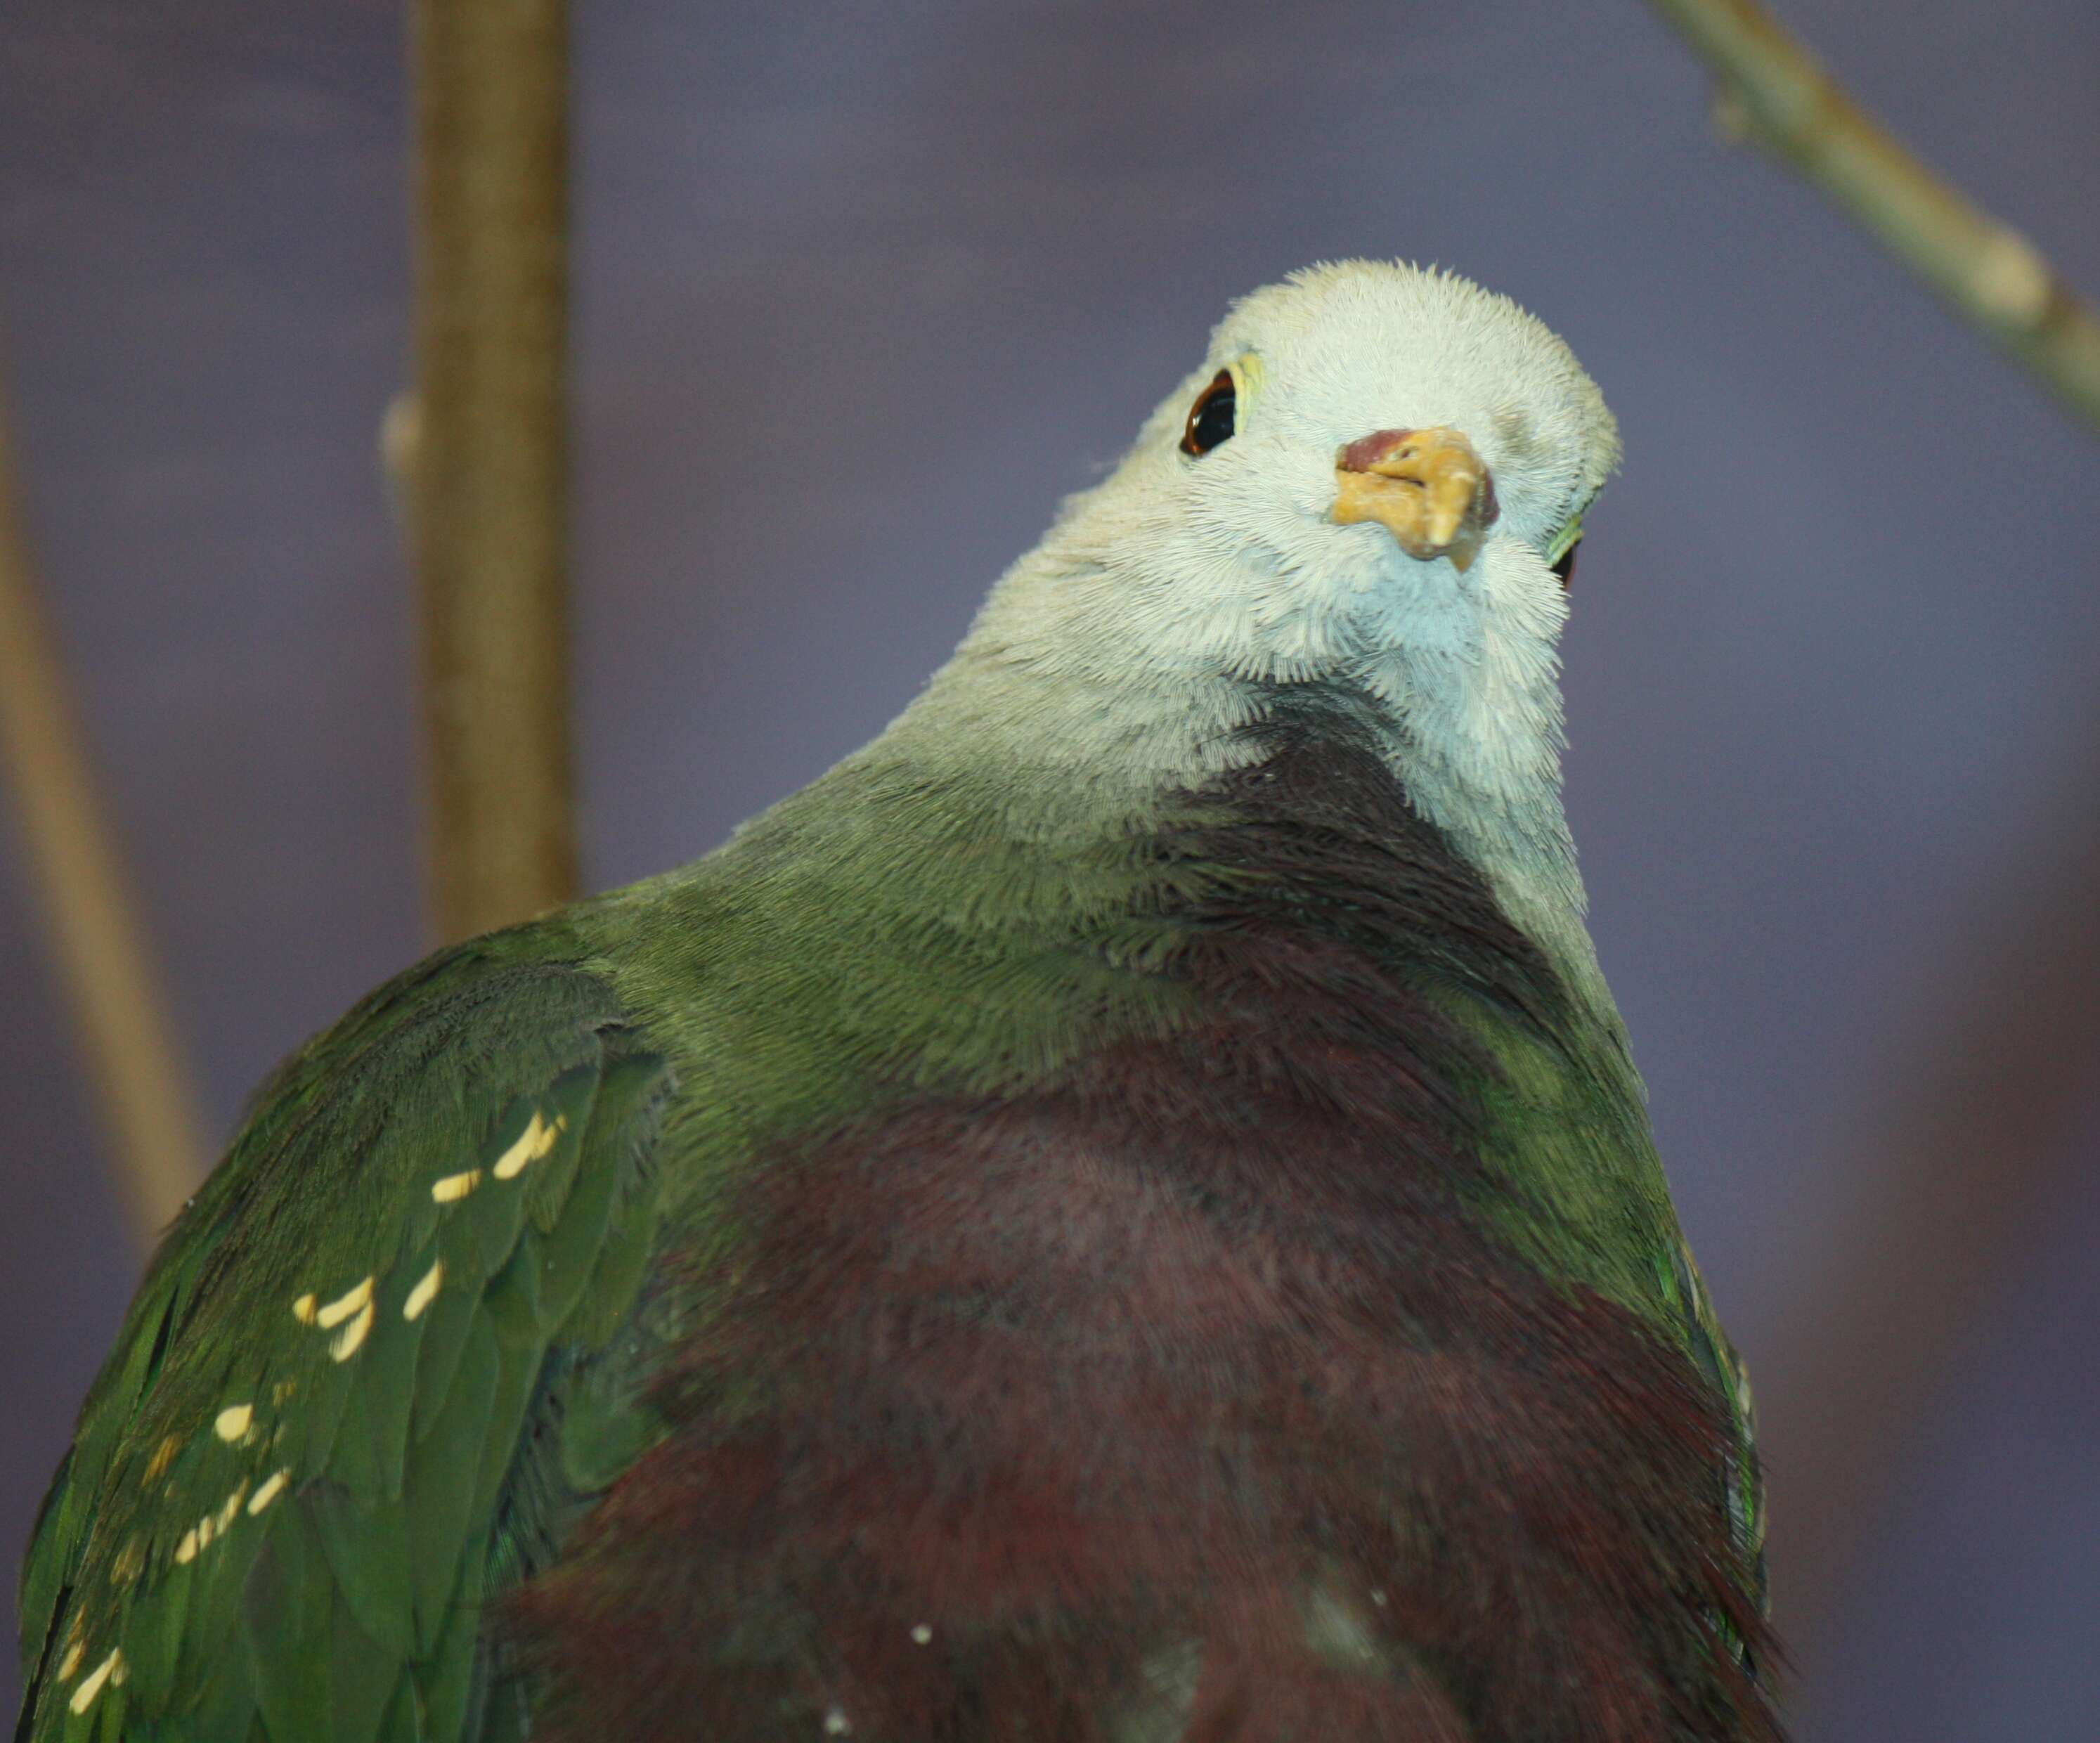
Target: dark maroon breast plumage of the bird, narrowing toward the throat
{"type": "Point", "coordinates": [1188, 1395]}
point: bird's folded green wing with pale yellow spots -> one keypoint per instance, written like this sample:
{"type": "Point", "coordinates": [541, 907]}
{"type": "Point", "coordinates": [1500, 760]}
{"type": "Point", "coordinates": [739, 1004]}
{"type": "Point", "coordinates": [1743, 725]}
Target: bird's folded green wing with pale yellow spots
{"type": "Point", "coordinates": [379, 1364]}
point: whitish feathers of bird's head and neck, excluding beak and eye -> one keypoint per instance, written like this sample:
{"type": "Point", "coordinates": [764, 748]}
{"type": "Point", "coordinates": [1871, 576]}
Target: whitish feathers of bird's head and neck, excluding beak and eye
{"type": "Point", "coordinates": [1167, 604]}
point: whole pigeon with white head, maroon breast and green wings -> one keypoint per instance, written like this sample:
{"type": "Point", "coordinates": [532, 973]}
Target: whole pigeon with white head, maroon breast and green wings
{"type": "Point", "coordinates": [1125, 1211]}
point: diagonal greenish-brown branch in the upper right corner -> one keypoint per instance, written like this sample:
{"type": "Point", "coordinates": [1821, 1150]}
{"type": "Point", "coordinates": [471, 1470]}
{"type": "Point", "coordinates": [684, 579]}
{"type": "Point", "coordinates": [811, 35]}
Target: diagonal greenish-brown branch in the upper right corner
{"type": "Point", "coordinates": [1780, 98]}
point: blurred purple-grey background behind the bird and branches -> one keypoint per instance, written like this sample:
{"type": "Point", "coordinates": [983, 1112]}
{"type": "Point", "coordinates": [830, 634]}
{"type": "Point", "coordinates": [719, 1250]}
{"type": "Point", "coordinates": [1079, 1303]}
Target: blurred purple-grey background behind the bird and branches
{"type": "Point", "coordinates": [1832, 656]}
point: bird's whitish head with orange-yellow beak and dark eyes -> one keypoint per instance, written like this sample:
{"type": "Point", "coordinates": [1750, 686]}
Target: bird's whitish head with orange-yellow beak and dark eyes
{"type": "Point", "coordinates": [1368, 459]}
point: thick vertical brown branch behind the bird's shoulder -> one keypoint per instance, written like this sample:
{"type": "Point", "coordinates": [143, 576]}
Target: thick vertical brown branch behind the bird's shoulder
{"type": "Point", "coordinates": [490, 459]}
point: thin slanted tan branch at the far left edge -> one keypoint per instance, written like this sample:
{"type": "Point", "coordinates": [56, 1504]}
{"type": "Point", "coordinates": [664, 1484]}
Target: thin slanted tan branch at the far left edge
{"type": "Point", "coordinates": [93, 921]}
